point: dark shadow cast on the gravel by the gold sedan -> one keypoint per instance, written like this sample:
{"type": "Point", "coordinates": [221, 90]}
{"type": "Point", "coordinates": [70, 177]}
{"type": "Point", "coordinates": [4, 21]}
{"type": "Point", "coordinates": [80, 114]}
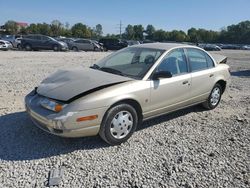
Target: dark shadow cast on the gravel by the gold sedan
{"type": "Point", "coordinates": [21, 140]}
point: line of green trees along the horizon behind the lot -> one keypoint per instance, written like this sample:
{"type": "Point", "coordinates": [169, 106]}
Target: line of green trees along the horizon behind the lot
{"type": "Point", "coordinates": [234, 34]}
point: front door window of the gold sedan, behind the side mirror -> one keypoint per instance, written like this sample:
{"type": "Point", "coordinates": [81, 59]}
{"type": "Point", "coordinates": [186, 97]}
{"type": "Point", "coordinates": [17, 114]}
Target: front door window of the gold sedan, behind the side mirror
{"type": "Point", "coordinates": [174, 62]}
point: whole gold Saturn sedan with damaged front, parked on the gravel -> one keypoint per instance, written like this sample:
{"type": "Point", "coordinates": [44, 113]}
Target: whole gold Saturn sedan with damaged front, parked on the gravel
{"type": "Point", "coordinates": [113, 96]}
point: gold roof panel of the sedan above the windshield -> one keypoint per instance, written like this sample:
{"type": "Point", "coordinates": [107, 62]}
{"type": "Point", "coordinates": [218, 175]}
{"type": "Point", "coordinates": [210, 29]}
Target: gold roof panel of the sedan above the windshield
{"type": "Point", "coordinates": [162, 46]}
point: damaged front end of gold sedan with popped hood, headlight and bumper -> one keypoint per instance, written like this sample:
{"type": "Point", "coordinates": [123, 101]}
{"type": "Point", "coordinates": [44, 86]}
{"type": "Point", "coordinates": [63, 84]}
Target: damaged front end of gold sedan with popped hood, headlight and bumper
{"type": "Point", "coordinates": [55, 106]}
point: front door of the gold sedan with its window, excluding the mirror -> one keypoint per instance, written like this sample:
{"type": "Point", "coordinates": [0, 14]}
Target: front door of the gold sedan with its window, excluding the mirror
{"type": "Point", "coordinates": [168, 94]}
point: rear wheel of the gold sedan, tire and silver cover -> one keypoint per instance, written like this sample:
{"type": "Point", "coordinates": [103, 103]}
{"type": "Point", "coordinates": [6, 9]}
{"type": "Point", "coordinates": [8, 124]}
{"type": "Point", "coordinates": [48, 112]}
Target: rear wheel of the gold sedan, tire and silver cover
{"type": "Point", "coordinates": [214, 97]}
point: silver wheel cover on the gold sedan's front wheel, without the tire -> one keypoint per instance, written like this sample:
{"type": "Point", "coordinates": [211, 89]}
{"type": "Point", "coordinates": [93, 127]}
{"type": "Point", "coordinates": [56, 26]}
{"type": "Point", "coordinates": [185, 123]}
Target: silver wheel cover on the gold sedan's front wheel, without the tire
{"type": "Point", "coordinates": [121, 125]}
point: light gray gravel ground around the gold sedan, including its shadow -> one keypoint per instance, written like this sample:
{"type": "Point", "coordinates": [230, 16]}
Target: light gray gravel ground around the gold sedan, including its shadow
{"type": "Point", "coordinates": [188, 148]}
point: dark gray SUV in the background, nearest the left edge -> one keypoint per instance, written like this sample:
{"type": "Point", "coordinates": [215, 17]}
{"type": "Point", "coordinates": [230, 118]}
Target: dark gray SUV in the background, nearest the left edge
{"type": "Point", "coordinates": [42, 42]}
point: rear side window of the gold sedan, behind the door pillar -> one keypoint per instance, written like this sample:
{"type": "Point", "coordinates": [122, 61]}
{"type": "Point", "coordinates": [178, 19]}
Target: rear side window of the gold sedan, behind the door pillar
{"type": "Point", "coordinates": [198, 60]}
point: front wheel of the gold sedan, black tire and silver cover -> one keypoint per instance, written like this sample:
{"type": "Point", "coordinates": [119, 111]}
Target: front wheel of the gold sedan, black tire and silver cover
{"type": "Point", "coordinates": [118, 124]}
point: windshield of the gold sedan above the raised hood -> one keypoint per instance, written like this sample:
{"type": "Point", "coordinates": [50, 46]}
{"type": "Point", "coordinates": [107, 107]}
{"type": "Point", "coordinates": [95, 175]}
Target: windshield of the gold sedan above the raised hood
{"type": "Point", "coordinates": [132, 62]}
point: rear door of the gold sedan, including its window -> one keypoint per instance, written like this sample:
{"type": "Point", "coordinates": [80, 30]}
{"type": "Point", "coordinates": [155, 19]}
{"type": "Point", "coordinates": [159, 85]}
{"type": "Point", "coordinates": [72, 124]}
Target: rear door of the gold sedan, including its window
{"type": "Point", "coordinates": [203, 74]}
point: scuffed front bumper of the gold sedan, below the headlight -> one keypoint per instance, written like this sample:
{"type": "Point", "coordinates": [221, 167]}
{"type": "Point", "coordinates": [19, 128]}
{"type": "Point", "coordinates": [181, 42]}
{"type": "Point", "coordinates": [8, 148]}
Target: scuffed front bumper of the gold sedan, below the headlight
{"type": "Point", "coordinates": [47, 120]}
